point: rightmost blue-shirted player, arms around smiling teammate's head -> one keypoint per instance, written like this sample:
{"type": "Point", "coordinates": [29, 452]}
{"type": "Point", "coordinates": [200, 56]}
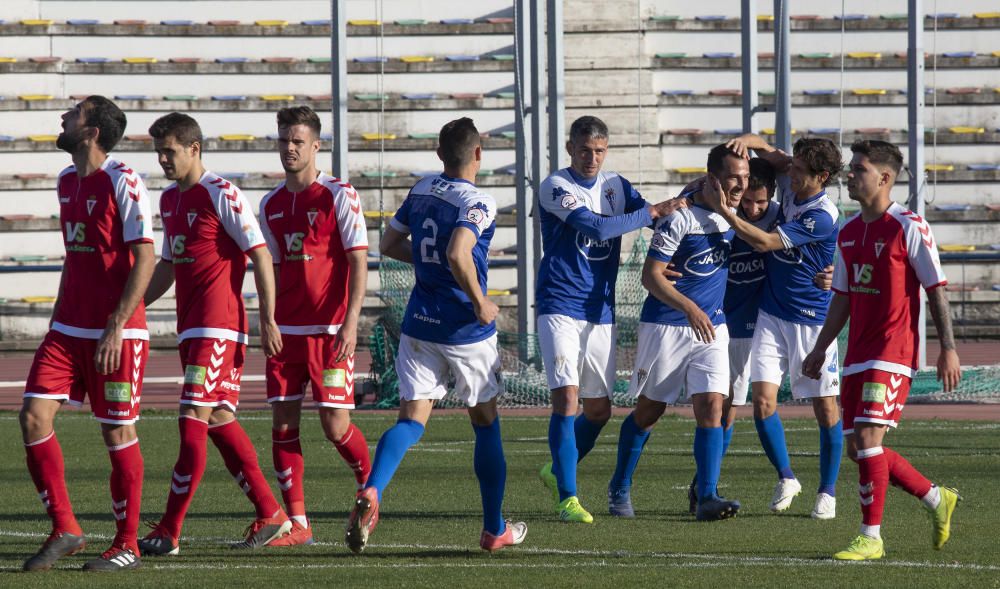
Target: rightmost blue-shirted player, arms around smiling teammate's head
{"type": "Point", "coordinates": [792, 310]}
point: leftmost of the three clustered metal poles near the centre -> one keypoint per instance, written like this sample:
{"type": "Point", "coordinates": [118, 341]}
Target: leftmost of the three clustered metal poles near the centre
{"type": "Point", "coordinates": [524, 202]}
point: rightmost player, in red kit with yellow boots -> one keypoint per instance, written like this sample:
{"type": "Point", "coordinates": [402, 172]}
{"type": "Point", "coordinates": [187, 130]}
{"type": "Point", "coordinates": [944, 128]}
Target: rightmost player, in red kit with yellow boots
{"type": "Point", "coordinates": [887, 254]}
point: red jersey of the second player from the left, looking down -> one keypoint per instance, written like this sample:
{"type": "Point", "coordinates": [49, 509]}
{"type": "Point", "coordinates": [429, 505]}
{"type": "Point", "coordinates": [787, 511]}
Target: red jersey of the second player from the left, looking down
{"type": "Point", "coordinates": [207, 231]}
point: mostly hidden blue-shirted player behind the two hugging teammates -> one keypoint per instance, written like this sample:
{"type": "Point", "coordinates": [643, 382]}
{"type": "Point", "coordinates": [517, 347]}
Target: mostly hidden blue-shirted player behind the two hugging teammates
{"type": "Point", "coordinates": [743, 289]}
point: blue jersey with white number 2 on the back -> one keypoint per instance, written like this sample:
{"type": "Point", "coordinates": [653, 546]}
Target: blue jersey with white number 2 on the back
{"type": "Point", "coordinates": [439, 310]}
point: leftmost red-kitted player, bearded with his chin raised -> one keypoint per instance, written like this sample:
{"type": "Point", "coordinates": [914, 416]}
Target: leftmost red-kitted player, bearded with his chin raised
{"type": "Point", "coordinates": [98, 344]}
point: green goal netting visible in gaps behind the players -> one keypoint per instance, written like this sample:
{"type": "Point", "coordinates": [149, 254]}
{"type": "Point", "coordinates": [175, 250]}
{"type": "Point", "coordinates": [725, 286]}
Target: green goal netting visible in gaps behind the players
{"type": "Point", "coordinates": [524, 376]}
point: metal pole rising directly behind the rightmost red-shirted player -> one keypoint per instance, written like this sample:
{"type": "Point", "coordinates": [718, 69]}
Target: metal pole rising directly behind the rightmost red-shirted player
{"type": "Point", "coordinates": [915, 127]}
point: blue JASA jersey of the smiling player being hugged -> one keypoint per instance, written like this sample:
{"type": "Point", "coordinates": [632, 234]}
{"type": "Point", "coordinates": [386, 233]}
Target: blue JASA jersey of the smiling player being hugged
{"type": "Point", "coordinates": [698, 242]}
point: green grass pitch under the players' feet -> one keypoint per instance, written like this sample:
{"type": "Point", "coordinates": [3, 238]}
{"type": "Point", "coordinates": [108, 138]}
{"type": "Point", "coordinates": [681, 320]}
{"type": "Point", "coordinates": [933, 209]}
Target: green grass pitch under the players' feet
{"type": "Point", "coordinates": [431, 514]}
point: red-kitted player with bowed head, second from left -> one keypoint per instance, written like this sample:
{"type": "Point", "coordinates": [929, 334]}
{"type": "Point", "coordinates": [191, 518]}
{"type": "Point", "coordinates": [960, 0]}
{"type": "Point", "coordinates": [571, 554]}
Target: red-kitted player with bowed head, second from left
{"type": "Point", "coordinates": [209, 231]}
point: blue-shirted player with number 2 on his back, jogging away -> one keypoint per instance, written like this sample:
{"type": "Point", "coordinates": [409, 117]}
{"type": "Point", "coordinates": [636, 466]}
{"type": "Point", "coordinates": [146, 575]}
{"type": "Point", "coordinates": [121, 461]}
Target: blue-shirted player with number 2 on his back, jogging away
{"type": "Point", "coordinates": [444, 228]}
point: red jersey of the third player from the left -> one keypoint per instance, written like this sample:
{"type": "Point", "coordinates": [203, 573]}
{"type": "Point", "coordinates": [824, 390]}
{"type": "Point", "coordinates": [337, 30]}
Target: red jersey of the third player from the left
{"type": "Point", "coordinates": [309, 233]}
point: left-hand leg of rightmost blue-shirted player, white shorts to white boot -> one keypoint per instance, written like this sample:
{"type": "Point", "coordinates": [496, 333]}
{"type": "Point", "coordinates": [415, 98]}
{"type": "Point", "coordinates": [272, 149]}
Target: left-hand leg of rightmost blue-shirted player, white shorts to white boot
{"type": "Point", "coordinates": [769, 363]}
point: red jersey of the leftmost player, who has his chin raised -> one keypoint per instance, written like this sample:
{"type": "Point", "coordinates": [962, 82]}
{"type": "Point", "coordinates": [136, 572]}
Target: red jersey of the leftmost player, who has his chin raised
{"type": "Point", "coordinates": [100, 216]}
